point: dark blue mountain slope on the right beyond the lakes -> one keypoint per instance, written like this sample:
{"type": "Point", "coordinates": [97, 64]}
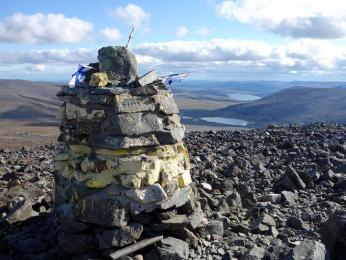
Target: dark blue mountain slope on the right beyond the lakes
{"type": "Point", "coordinates": [298, 105]}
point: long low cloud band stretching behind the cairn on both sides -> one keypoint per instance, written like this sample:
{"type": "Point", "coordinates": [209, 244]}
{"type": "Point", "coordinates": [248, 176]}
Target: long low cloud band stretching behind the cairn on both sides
{"type": "Point", "coordinates": [213, 56]}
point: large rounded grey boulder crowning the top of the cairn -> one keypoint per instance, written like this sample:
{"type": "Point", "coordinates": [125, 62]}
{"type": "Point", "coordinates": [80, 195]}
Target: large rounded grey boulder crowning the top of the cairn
{"type": "Point", "coordinates": [119, 63]}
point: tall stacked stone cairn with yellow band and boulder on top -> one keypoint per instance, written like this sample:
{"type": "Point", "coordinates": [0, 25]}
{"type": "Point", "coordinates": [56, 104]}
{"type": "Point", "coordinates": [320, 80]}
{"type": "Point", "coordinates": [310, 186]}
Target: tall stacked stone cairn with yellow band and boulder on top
{"type": "Point", "coordinates": [123, 175]}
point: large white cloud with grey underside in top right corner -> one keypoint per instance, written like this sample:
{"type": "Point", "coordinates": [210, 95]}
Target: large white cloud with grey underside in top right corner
{"type": "Point", "coordinates": [296, 18]}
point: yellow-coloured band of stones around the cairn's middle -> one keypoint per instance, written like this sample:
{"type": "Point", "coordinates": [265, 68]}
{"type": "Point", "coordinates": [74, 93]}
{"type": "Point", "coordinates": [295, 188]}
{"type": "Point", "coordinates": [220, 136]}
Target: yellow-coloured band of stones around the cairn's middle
{"type": "Point", "coordinates": [133, 167]}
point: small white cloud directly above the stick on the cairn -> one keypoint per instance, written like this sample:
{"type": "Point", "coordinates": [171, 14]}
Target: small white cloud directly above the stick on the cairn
{"type": "Point", "coordinates": [132, 15]}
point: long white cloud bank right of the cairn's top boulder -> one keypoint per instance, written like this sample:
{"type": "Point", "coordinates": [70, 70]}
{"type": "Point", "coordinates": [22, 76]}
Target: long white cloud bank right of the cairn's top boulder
{"type": "Point", "coordinates": [300, 55]}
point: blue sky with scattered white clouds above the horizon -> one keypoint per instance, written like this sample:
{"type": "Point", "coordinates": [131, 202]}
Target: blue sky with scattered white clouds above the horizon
{"type": "Point", "coordinates": [211, 39]}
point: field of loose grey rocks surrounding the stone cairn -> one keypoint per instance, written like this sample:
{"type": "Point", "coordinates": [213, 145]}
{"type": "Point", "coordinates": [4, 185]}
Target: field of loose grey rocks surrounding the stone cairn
{"type": "Point", "coordinates": [274, 193]}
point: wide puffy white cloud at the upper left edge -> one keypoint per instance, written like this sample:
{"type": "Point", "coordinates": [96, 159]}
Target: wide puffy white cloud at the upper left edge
{"type": "Point", "coordinates": [44, 28]}
